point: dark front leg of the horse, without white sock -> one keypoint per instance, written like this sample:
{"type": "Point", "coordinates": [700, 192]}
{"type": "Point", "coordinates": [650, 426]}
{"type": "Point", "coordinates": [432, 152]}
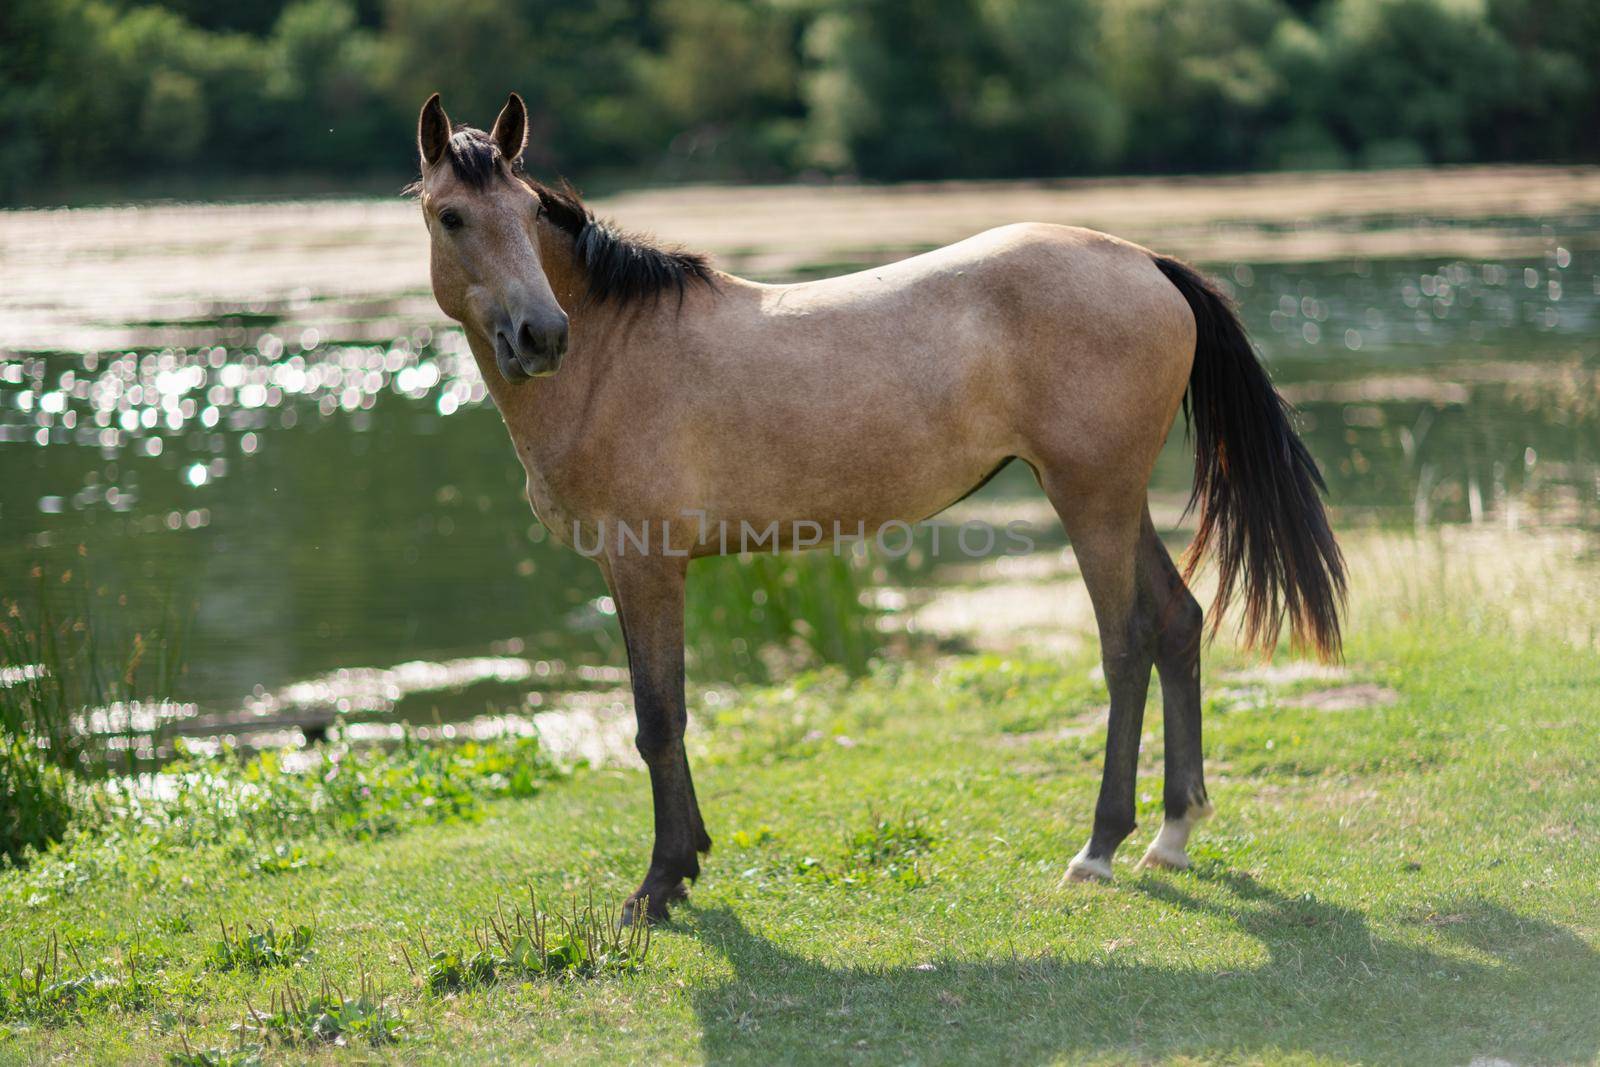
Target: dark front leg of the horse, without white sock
{"type": "Point", "coordinates": [649, 596]}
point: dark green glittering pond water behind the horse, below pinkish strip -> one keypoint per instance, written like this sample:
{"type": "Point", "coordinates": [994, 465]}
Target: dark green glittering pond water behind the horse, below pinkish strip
{"type": "Point", "coordinates": [332, 492]}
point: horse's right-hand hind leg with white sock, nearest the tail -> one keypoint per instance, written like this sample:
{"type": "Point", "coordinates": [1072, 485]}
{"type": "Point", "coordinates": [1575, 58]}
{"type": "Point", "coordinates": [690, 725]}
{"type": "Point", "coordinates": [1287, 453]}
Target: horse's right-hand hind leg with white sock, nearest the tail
{"type": "Point", "coordinates": [1178, 633]}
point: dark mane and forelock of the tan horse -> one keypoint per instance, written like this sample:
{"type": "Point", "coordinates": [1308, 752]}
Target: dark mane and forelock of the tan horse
{"type": "Point", "coordinates": [618, 266]}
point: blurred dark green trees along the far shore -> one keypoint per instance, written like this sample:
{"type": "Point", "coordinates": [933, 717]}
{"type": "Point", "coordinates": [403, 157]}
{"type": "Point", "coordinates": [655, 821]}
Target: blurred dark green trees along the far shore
{"type": "Point", "coordinates": [102, 97]}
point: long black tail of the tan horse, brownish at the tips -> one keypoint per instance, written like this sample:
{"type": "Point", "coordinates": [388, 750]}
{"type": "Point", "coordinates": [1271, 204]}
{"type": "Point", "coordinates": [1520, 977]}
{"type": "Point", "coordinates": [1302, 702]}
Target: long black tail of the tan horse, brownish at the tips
{"type": "Point", "coordinates": [1257, 487]}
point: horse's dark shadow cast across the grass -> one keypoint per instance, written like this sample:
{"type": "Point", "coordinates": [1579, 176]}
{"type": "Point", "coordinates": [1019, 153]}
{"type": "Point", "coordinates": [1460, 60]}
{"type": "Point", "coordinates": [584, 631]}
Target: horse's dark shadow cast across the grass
{"type": "Point", "coordinates": [1510, 986]}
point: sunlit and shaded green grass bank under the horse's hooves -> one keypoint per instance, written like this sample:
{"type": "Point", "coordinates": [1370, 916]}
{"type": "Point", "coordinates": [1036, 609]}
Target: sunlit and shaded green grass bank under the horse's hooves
{"type": "Point", "coordinates": [1412, 882]}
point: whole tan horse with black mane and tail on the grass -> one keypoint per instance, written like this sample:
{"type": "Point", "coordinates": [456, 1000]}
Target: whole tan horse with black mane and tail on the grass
{"type": "Point", "coordinates": [690, 402]}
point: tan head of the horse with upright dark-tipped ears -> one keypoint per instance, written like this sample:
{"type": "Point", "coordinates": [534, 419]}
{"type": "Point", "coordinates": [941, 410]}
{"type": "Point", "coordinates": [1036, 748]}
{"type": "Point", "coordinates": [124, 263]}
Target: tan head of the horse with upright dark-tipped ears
{"type": "Point", "coordinates": [486, 242]}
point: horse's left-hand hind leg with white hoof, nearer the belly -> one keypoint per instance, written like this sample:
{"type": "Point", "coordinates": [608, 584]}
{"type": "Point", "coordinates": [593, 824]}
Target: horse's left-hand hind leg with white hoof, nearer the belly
{"type": "Point", "coordinates": [1106, 537]}
